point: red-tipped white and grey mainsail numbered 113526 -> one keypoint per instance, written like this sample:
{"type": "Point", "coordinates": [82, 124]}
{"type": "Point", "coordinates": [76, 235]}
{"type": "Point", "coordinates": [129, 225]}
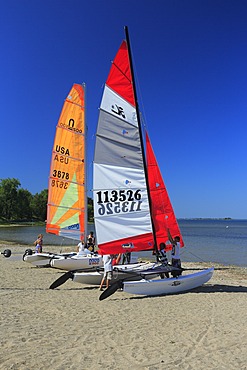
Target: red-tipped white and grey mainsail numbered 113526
{"type": "Point", "coordinates": [121, 205]}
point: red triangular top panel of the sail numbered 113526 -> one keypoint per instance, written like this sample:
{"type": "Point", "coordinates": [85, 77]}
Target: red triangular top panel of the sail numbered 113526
{"type": "Point", "coordinates": [119, 78]}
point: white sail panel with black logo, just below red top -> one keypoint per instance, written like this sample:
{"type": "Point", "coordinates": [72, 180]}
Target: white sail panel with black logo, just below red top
{"type": "Point", "coordinates": [115, 105]}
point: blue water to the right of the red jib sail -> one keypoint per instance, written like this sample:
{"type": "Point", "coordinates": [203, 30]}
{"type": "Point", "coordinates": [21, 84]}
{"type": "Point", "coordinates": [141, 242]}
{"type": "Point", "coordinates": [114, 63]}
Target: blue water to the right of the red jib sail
{"type": "Point", "coordinates": [223, 241]}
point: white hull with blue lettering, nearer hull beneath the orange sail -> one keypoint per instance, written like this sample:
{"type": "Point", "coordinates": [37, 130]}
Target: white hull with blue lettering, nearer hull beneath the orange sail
{"type": "Point", "coordinates": [77, 262]}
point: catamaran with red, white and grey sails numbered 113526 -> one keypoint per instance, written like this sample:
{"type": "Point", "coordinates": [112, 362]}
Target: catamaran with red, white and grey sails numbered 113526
{"type": "Point", "coordinates": [132, 209]}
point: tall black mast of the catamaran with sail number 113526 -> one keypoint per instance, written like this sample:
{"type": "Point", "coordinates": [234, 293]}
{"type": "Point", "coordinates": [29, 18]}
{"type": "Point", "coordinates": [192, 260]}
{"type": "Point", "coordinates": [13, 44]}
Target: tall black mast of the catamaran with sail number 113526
{"type": "Point", "coordinates": [141, 136]}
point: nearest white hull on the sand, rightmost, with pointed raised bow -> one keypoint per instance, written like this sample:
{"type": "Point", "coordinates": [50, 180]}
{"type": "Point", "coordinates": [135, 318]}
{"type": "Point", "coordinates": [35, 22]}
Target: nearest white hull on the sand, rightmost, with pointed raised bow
{"type": "Point", "coordinates": [168, 286]}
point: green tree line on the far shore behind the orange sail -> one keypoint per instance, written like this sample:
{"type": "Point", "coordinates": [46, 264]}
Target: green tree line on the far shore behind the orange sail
{"type": "Point", "coordinates": [18, 204]}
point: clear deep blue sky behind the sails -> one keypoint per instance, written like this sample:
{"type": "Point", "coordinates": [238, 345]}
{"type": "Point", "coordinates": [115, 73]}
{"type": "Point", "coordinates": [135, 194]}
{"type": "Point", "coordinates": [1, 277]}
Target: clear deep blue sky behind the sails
{"type": "Point", "coordinates": [190, 59]}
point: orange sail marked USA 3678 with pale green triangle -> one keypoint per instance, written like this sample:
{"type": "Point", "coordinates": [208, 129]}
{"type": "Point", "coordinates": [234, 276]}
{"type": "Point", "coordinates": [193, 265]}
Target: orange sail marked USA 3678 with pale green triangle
{"type": "Point", "coordinates": [67, 201]}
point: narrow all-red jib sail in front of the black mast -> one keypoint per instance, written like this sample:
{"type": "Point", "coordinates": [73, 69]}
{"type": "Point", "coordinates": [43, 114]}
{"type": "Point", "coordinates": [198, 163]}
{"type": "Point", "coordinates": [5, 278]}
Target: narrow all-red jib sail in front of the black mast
{"type": "Point", "coordinates": [162, 212]}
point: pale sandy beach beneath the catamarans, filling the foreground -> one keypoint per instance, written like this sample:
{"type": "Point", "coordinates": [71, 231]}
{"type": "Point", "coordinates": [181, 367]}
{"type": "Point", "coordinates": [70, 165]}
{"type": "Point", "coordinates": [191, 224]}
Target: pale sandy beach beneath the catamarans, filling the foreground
{"type": "Point", "coordinates": [69, 328]}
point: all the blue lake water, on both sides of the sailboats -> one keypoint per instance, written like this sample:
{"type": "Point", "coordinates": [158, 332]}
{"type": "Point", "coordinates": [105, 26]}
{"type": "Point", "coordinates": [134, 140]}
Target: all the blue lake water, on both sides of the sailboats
{"type": "Point", "coordinates": [222, 241]}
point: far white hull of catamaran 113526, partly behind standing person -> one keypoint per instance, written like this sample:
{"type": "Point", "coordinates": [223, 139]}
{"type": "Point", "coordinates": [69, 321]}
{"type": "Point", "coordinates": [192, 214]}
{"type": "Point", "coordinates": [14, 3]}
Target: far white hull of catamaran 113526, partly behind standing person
{"type": "Point", "coordinates": [120, 272]}
